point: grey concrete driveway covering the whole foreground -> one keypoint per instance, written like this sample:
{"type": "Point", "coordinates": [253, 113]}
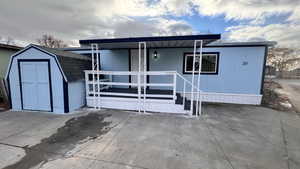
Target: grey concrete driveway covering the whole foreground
{"type": "Point", "coordinates": [227, 136]}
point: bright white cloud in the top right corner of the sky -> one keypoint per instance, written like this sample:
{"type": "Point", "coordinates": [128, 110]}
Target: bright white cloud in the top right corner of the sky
{"type": "Point", "coordinates": [245, 9]}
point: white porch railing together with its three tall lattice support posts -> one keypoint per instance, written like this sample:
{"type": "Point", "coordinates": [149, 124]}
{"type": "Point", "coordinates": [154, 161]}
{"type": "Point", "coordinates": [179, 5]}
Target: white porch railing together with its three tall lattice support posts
{"type": "Point", "coordinates": [96, 84]}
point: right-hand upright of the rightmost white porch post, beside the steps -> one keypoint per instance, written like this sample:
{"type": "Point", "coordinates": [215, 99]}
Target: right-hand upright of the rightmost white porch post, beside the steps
{"type": "Point", "coordinates": [199, 102]}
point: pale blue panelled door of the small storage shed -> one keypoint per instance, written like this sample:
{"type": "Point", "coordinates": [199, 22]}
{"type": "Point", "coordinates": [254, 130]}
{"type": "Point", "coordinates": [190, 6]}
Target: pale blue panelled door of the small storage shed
{"type": "Point", "coordinates": [35, 85]}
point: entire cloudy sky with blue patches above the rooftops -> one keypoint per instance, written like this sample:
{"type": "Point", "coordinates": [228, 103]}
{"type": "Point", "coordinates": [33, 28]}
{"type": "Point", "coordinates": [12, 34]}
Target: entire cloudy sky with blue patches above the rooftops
{"type": "Point", "coordinates": [71, 20]}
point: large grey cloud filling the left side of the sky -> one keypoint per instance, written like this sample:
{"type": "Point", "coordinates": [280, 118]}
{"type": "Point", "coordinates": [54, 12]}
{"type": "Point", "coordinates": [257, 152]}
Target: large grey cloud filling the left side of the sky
{"type": "Point", "coordinates": [72, 20]}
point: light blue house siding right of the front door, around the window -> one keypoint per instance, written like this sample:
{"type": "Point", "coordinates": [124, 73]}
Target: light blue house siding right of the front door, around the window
{"type": "Point", "coordinates": [233, 76]}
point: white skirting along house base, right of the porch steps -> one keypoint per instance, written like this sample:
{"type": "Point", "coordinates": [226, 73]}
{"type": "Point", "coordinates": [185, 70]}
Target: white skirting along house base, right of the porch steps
{"type": "Point", "coordinates": [229, 98]}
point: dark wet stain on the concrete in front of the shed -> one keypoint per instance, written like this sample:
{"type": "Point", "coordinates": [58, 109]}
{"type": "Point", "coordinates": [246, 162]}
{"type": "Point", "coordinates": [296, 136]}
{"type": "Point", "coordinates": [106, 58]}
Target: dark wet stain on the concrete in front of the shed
{"type": "Point", "coordinates": [75, 131]}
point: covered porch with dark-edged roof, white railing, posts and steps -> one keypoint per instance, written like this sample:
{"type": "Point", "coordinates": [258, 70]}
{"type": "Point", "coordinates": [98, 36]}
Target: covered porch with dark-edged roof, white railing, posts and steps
{"type": "Point", "coordinates": [132, 90]}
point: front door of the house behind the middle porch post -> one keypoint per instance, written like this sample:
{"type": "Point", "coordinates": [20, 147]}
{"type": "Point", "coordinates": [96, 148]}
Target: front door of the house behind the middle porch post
{"type": "Point", "coordinates": [135, 64]}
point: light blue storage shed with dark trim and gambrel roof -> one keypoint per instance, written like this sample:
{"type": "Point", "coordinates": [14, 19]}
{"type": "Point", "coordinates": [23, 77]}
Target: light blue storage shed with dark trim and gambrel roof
{"type": "Point", "coordinates": [46, 79]}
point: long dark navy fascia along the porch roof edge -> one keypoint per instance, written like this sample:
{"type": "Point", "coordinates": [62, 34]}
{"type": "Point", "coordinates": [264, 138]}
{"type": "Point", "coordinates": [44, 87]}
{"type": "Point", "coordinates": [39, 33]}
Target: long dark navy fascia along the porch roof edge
{"type": "Point", "coordinates": [152, 38]}
